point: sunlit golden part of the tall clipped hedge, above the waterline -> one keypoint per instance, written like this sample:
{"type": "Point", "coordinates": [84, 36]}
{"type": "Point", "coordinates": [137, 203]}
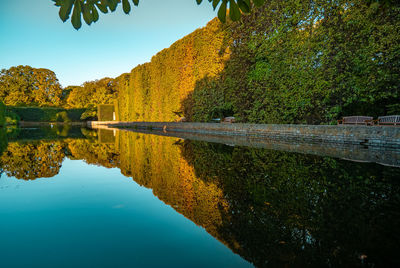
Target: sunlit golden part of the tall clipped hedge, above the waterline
{"type": "Point", "coordinates": [154, 91]}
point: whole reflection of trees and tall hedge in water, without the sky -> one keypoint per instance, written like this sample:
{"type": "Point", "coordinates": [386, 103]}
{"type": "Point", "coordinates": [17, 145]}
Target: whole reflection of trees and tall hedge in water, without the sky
{"type": "Point", "coordinates": [270, 207]}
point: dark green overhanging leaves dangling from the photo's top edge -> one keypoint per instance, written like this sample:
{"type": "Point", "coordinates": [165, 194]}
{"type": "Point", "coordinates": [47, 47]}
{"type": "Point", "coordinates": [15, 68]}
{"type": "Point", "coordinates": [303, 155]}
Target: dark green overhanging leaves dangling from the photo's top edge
{"type": "Point", "coordinates": [89, 9]}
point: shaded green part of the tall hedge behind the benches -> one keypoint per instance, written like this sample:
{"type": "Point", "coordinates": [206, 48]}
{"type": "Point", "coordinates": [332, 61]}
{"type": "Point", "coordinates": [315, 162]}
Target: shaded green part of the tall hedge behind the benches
{"type": "Point", "coordinates": [308, 62]}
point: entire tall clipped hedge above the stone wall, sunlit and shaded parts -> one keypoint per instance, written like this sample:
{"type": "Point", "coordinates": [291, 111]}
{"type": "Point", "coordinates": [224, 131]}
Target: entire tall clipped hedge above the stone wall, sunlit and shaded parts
{"type": "Point", "coordinates": [286, 62]}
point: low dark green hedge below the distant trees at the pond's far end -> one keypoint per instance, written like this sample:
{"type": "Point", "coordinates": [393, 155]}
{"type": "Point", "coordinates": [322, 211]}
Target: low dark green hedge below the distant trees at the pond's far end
{"type": "Point", "coordinates": [36, 114]}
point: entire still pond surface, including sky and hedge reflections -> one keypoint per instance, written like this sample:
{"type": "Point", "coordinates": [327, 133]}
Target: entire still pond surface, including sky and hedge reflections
{"type": "Point", "coordinates": [71, 197]}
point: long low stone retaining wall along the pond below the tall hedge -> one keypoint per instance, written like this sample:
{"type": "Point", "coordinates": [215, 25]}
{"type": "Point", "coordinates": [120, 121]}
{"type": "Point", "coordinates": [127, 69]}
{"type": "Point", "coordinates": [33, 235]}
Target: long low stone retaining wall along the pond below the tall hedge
{"type": "Point", "coordinates": [380, 136]}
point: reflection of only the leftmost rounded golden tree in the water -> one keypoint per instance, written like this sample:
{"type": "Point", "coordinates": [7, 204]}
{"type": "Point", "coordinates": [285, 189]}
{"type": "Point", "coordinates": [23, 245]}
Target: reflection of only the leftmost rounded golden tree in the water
{"type": "Point", "coordinates": [29, 161]}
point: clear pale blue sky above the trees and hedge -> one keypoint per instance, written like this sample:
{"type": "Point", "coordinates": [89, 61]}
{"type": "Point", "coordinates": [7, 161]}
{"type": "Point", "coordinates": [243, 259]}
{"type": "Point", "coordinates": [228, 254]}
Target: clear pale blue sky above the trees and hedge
{"type": "Point", "coordinates": [31, 33]}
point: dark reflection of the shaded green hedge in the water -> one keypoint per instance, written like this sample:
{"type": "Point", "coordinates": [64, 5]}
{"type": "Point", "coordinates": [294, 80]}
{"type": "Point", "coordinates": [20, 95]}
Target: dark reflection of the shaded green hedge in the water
{"type": "Point", "coordinates": [301, 209]}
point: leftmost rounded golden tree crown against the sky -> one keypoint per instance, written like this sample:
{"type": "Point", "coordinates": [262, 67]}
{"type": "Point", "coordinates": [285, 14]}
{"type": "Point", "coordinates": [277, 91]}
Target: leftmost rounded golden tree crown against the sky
{"type": "Point", "coordinates": [24, 85]}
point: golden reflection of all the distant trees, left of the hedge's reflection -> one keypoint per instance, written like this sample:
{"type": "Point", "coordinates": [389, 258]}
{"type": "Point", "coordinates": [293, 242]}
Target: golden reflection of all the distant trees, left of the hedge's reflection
{"type": "Point", "coordinates": [43, 159]}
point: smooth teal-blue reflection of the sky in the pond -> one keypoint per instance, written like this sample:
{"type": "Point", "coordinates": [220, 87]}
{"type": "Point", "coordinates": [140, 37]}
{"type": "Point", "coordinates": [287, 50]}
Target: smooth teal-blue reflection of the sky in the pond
{"type": "Point", "coordinates": [93, 216]}
